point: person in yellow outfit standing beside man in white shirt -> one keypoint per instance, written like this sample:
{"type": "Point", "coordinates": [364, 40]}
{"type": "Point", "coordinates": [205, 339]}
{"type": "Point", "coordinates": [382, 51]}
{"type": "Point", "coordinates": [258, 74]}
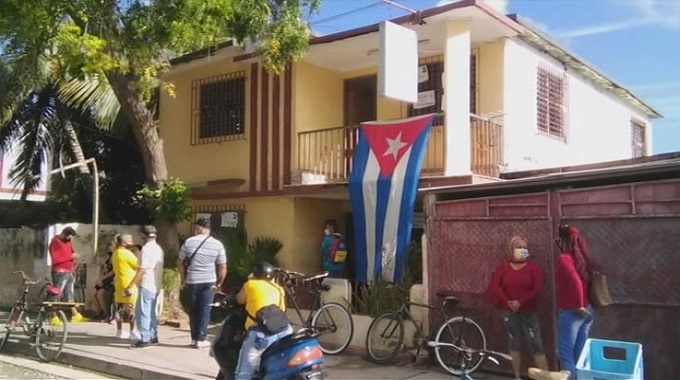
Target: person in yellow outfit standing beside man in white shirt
{"type": "Point", "coordinates": [125, 263]}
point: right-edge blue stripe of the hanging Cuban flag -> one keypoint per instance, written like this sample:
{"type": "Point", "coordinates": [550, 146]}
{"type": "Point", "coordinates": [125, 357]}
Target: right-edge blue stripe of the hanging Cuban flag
{"type": "Point", "coordinates": [408, 200]}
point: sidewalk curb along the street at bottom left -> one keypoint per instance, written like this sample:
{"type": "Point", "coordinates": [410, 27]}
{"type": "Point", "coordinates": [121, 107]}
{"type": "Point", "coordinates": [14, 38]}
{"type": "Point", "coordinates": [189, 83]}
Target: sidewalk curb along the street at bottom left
{"type": "Point", "coordinates": [97, 364]}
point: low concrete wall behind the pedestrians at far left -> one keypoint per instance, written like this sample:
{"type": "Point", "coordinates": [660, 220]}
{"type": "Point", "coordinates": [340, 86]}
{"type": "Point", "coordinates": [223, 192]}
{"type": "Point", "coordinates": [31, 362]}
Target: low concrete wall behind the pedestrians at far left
{"type": "Point", "coordinates": [26, 249]}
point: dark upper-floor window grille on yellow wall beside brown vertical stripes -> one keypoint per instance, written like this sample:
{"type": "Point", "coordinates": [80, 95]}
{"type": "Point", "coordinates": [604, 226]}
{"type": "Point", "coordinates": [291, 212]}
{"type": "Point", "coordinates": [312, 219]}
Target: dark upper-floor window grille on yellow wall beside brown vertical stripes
{"type": "Point", "coordinates": [218, 108]}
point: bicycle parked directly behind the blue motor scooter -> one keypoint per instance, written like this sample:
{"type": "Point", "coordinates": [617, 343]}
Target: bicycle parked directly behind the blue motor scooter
{"type": "Point", "coordinates": [329, 319]}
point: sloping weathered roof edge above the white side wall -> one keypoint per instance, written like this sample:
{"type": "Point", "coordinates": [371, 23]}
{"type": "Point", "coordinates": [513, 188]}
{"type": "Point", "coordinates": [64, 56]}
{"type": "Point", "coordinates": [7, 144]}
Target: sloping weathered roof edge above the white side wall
{"type": "Point", "coordinates": [542, 42]}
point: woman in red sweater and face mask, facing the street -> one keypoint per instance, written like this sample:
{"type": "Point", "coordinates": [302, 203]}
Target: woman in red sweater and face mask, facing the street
{"type": "Point", "coordinates": [515, 286]}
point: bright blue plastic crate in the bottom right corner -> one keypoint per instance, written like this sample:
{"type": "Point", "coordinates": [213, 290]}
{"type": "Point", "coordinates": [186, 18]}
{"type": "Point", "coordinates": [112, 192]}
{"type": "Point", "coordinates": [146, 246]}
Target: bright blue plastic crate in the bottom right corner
{"type": "Point", "coordinates": [593, 365]}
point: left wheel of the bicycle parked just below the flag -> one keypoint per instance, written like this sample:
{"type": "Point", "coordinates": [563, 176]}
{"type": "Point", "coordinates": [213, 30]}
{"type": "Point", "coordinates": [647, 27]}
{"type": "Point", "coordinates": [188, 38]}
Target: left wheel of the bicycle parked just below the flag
{"type": "Point", "coordinates": [385, 337]}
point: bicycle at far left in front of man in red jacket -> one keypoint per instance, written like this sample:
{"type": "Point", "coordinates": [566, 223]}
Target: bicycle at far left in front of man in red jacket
{"type": "Point", "coordinates": [49, 337]}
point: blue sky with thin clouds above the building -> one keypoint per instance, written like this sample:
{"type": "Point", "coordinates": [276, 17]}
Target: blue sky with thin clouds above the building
{"type": "Point", "coordinates": [634, 42]}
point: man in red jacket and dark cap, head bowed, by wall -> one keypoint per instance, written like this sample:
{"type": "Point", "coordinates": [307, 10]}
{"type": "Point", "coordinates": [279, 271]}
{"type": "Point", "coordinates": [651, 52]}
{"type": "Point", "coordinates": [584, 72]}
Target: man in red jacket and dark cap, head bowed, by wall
{"type": "Point", "coordinates": [63, 259]}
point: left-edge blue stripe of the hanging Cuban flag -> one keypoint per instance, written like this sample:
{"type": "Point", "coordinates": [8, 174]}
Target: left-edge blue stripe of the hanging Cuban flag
{"type": "Point", "coordinates": [357, 201]}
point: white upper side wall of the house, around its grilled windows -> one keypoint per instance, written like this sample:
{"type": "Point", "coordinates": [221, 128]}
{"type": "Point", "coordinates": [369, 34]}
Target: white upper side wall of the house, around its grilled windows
{"type": "Point", "coordinates": [598, 124]}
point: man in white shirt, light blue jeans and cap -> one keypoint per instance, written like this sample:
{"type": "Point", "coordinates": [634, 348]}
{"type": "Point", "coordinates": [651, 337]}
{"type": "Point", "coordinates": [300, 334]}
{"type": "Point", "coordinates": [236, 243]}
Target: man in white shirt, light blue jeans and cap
{"type": "Point", "coordinates": [149, 278]}
